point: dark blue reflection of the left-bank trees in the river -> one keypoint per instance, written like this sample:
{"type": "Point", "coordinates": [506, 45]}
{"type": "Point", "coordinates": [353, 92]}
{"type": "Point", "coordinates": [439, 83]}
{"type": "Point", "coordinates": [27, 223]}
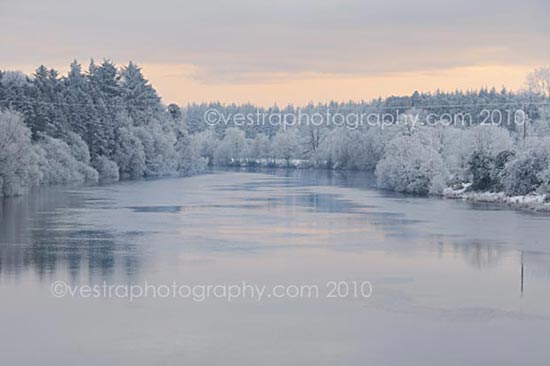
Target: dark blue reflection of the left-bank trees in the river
{"type": "Point", "coordinates": [39, 232]}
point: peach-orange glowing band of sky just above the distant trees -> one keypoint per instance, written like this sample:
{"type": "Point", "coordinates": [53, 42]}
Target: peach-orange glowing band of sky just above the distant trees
{"type": "Point", "coordinates": [302, 88]}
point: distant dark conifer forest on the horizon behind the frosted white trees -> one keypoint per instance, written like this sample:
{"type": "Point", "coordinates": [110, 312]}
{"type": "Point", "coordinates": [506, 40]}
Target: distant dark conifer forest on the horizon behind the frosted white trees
{"type": "Point", "coordinates": [477, 106]}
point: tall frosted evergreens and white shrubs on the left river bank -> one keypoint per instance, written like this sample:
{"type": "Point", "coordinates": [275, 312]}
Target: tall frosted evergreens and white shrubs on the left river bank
{"type": "Point", "coordinates": [104, 123]}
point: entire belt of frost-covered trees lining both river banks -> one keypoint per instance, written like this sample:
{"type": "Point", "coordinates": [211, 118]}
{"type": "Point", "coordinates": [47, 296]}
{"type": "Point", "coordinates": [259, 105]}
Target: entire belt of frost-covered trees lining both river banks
{"type": "Point", "coordinates": [109, 123]}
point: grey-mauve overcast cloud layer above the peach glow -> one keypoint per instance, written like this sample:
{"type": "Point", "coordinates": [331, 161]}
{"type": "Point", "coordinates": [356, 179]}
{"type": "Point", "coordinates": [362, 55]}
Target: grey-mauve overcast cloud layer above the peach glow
{"type": "Point", "coordinates": [232, 42]}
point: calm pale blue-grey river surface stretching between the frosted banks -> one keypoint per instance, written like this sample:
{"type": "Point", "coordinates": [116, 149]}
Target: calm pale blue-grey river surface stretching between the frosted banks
{"type": "Point", "coordinates": [450, 282]}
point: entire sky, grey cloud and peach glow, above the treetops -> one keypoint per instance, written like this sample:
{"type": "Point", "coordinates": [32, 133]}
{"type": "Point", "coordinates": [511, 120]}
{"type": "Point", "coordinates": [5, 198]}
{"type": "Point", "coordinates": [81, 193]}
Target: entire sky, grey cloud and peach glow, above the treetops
{"type": "Point", "coordinates": [286, 51]}
